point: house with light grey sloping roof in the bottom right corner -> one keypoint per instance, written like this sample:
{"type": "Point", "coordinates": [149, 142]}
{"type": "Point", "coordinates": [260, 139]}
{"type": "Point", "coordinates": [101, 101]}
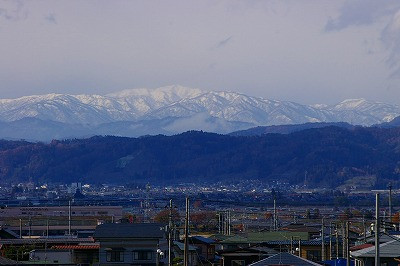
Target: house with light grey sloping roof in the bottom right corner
{"type": "Point", "coordinates": [389, 254]}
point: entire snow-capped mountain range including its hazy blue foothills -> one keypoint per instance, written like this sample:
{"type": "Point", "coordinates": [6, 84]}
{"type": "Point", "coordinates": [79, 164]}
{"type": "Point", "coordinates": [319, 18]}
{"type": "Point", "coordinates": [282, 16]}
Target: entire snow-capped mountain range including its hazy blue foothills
{"type": "Point", "coordinates": [173, 109]}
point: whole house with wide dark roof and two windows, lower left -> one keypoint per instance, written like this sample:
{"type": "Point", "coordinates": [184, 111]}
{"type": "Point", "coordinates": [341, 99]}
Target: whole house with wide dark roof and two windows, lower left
{"type": "Point", "coordinates": [131, 244]}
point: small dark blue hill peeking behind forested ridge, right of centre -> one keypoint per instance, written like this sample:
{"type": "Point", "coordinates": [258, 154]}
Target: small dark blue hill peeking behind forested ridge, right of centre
{"type": "Point", "coordinates": [286, 129]}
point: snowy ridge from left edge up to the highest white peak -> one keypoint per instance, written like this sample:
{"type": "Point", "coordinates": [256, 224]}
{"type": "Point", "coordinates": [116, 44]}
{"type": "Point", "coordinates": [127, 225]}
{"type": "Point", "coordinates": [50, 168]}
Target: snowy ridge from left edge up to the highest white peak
{"type": "Point", "coordinates": [128, 105]}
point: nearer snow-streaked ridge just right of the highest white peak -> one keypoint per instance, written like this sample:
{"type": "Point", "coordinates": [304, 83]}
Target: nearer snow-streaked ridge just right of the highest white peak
{"type": "Point", "coordinates": [233, 106]}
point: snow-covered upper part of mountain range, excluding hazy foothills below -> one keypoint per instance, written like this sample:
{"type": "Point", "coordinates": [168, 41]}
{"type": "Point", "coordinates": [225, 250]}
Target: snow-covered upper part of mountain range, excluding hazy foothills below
{"type": "Point", "coordinates": [182, 102]}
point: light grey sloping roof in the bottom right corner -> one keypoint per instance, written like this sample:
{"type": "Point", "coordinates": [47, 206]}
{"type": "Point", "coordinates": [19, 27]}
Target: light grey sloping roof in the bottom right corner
{"type": "Point", "coordinates": [389, 249]}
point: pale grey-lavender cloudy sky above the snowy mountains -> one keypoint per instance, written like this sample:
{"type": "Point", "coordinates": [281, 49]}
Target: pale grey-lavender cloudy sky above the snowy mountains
{"type": "Point", "coordinates": [306, 51]}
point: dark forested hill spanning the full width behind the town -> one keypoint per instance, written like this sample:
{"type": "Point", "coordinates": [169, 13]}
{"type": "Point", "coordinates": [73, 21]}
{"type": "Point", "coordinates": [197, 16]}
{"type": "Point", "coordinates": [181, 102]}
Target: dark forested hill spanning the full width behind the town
{"type": "Point", "coordinates": [329, 155]}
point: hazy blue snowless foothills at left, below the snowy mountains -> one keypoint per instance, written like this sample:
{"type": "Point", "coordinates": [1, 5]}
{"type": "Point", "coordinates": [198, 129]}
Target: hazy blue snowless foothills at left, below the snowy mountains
{"type": "Point", "coordinates": [35, 129]}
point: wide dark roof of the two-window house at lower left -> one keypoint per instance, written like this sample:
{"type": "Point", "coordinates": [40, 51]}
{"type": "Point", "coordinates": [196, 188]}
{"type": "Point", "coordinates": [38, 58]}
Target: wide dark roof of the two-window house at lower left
{"type": "Point", "coordinates": [128, 230]}
